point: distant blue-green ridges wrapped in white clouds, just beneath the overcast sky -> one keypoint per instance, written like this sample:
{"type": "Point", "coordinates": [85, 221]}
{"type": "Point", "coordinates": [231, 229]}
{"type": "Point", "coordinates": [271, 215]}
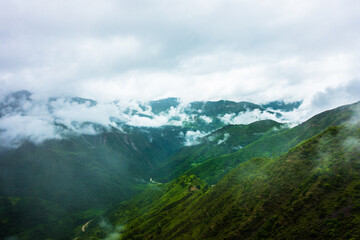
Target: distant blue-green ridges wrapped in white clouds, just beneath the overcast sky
{"type": "Point", "coordinates": [22, 118]}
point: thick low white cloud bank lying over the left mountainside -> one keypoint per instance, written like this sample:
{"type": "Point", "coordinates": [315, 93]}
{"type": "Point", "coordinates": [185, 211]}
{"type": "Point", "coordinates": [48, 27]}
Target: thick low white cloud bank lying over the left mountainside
{"type": "Point", "coordinates": [36, 120]}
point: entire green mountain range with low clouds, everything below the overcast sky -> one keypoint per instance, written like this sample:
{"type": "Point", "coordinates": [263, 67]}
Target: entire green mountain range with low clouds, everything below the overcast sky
{"type": "Point", "coordinates": [169, 170]}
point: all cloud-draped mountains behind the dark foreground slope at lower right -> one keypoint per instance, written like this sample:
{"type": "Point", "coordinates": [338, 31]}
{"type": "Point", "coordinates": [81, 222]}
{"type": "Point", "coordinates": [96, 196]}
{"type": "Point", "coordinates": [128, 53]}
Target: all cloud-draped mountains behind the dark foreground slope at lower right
{"type": "Point", "coordinates": [68, 161]}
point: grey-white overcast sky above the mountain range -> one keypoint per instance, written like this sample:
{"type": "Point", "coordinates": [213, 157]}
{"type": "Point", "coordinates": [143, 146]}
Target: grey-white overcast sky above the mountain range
{"type": "Point", "coordinates": [197, 50]}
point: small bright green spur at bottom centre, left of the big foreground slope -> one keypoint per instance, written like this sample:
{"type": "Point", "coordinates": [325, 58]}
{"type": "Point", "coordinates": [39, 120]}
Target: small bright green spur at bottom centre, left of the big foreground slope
{"type": "Point", "coordinates": [147, 209]}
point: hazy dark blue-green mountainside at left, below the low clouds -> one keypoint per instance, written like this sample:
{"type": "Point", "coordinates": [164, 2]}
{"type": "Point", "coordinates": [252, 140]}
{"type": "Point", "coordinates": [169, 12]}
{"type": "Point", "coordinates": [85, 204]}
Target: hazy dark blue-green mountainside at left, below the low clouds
{"type": "Point", "coordinates": [81, 175]}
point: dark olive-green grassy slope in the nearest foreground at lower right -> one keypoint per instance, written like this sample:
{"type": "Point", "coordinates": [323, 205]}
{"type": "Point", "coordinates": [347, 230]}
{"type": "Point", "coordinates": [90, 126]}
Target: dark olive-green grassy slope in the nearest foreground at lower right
{"type": "Point", "coordinates": [312, 192]}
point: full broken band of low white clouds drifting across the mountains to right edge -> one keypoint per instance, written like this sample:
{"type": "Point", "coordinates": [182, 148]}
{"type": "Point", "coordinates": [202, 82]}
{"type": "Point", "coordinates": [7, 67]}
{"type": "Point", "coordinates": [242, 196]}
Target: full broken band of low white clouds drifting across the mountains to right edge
{"type": "Point", "coordinates": [36, 121]}
